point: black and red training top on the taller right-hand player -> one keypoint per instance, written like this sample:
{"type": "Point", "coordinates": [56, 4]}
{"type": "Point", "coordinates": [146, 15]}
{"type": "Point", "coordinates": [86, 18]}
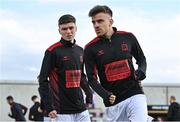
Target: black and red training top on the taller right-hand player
{"type": "Point", "coordinates": [111, 60]}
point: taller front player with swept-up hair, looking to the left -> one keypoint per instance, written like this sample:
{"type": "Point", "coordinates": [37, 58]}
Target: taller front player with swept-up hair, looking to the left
{"type": "Point", "coordinates": [110, 56]}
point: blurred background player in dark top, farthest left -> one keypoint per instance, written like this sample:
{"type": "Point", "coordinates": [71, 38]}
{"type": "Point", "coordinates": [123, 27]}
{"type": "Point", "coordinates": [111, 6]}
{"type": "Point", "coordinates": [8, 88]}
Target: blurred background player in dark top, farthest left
{"type": "Point", "coordinates": [18, 111]}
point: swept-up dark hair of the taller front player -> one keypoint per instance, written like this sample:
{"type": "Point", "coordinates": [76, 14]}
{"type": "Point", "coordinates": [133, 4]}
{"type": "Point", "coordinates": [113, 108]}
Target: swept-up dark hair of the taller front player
{"type": "Point", "coordinates": [100, 8]}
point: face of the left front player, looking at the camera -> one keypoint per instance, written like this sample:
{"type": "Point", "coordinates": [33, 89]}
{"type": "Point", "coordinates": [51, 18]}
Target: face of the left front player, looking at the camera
{"type": "Point", "coordinates": [68, 31]}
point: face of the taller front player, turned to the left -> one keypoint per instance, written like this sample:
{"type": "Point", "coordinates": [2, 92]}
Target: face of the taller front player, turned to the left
{"type": "Point", "coordinates": [102, 23]}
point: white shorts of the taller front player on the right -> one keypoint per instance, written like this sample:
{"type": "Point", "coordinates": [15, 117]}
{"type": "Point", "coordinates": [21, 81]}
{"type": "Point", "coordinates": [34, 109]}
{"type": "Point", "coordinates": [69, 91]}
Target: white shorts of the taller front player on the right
{"type": "Point", "coordinates": [132, 109]}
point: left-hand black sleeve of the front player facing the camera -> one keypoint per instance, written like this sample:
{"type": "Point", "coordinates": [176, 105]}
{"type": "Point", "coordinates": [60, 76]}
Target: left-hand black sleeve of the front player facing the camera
{"type": "Point", "coordinates": [44, 88]}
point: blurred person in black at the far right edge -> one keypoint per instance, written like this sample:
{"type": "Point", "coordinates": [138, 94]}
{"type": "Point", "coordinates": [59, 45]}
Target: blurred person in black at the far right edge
{"type": "Point", "coordinates": [174, 110]}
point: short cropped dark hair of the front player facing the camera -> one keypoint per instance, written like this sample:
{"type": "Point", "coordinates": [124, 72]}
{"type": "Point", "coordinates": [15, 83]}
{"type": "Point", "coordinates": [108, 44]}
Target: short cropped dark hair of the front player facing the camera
{"type": "Point", "coordinates": [67, 18]}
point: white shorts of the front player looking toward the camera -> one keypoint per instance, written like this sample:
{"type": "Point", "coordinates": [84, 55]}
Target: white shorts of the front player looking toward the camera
{"type": "Point", "coordinates": [79, 117]}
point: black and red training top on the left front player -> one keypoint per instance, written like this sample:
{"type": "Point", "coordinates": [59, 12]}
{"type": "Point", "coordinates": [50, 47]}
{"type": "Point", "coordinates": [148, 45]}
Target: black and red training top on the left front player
{"type": "Point", "coordinates": [61, 77]}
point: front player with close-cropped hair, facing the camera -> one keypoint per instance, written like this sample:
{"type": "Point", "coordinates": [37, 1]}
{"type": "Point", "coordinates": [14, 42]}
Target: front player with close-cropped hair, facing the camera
{"type": "Point", "coordinates": [62, 77]}
